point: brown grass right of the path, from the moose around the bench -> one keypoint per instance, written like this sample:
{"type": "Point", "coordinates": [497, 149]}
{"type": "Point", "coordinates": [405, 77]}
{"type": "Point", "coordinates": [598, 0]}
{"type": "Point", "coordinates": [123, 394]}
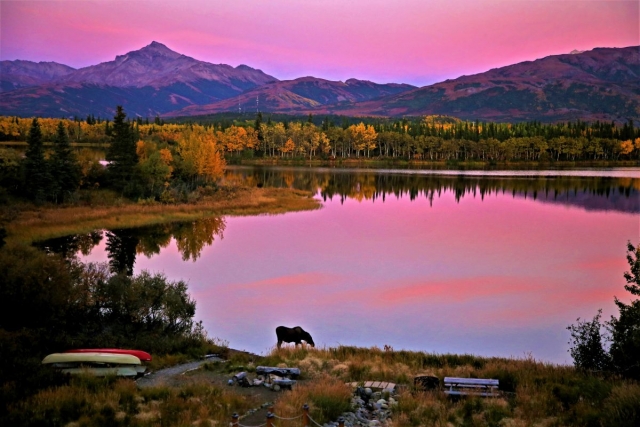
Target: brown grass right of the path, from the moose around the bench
{"type": "Point", "coordinates": [532, 392]}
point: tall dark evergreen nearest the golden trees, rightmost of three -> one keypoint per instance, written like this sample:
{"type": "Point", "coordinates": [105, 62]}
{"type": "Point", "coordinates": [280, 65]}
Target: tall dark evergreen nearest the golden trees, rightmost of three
{"type": "Point", "coordinates": [122, 151]}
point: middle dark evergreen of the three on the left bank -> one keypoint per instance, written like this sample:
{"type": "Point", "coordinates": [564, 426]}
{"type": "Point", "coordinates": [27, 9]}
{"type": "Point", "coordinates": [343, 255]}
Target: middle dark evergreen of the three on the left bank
{"type": "Point", "coordinates": [65, 169]}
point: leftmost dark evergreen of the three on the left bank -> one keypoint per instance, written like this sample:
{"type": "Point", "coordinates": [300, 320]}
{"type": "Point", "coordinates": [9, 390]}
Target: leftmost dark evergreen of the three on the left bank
{"type": "Point", "coordinates": [36, 173]}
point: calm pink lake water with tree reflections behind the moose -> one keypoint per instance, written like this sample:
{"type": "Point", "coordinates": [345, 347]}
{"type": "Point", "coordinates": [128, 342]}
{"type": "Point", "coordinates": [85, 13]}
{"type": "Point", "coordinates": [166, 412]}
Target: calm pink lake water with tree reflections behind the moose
{"type": "Point", "coordinates": [487, 263]}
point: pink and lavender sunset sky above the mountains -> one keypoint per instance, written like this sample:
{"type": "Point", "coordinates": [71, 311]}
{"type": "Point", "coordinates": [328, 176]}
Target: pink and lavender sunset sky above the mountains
{"type": "Point", "coordinates": [410, 41]}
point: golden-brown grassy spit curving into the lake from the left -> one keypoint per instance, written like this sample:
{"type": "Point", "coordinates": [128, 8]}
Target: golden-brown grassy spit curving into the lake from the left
{"type": "Point", "coordinates": [26, 222]}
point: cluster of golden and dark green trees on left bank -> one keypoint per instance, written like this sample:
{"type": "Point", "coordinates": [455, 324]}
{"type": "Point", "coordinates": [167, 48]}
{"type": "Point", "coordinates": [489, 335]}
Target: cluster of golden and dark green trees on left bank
{"type": "Point", "coordinates": [167, 163]}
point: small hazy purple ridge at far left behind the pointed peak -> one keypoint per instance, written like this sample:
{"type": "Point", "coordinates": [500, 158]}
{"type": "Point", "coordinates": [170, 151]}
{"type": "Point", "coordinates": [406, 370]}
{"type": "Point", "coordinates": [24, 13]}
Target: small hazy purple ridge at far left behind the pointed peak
{"type": "Point", "coordinates": [18, 74]}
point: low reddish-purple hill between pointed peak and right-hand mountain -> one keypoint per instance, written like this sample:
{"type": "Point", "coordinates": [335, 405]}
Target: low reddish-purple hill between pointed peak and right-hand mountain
{"type": "Point", "coordinates": [297, 95]}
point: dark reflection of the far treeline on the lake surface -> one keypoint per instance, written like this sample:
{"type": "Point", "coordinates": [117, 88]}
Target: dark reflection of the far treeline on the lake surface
{"type": "Point", "coordinates": [371, 185]}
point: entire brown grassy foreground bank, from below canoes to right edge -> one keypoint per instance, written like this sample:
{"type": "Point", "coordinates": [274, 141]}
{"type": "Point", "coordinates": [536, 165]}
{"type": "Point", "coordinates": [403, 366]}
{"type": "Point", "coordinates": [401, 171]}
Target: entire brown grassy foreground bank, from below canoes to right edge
{"type": "Point", "coordinates": [533, 393]}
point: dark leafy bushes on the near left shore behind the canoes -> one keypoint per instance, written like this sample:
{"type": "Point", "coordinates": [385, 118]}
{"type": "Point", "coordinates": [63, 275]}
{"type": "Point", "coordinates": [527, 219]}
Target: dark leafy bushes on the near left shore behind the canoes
{"type": "Point", "coordinates": [48, 305]}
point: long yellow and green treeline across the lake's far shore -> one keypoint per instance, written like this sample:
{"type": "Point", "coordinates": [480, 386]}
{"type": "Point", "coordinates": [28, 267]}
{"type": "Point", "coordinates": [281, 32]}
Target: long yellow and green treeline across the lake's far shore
{"type": "Point", "coordinates": [431, 138]}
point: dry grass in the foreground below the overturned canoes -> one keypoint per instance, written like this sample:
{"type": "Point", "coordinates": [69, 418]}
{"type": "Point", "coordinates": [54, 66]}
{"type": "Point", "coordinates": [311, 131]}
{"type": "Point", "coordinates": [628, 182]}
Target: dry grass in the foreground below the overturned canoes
{"type": "Point", "coordinates": [90, 401]}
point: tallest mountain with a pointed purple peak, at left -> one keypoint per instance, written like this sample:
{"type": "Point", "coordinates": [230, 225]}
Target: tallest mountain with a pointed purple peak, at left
{"type": "Point", "coordinates": [147, 82]}
